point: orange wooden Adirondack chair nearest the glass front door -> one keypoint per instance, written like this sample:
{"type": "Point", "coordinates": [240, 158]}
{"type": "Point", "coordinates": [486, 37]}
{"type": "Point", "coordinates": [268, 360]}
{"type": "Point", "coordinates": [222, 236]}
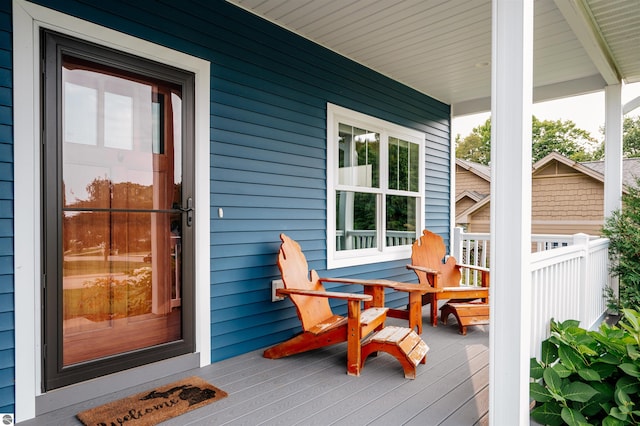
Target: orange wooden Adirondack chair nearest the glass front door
{"type": "Point", "coordinates": [320, 327]}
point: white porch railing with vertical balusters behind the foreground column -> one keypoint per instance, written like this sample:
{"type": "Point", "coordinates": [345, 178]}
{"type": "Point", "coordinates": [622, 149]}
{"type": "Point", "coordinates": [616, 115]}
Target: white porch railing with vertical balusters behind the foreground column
{"type": "Point", "coordinates": [569, 275]}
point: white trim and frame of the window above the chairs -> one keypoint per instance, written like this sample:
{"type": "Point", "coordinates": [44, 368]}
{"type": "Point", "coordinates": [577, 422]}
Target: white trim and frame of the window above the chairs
{"type": "Point", "coordinates": [340, 259]}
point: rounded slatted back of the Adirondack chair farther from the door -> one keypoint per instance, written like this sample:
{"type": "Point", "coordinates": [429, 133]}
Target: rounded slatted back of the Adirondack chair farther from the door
{"type": "Point", "coordinates": [429, 251]}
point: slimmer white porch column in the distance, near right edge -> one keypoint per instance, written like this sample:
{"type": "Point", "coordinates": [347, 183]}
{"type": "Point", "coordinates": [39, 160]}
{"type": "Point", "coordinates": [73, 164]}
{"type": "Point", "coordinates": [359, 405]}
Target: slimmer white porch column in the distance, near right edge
{"type": "Point", "coordinates": [613, 149]}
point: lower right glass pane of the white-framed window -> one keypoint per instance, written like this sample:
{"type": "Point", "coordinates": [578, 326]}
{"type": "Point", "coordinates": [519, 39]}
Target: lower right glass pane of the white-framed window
{"type": "Point", "coordinates": [401, 220]}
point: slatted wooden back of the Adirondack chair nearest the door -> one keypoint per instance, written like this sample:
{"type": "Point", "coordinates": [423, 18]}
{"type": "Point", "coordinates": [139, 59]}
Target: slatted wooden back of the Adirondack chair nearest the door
{"type": "Point", "coordinates": [296, 275]}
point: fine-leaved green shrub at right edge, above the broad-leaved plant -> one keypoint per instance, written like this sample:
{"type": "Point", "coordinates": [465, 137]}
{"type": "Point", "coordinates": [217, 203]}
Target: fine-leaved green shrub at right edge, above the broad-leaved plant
{"type": "Point", "coordinates": [623, 230]}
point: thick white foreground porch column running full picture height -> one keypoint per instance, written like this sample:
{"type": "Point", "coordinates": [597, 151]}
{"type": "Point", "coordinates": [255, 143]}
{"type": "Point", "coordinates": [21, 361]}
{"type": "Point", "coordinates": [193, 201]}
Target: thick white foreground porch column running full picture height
{"type": "Point", "coordinates": [511, 98]}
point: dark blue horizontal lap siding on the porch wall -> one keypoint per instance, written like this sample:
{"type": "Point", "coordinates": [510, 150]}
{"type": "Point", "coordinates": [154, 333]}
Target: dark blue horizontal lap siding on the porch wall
{"type": "Point", "coordinates": [269, 90]}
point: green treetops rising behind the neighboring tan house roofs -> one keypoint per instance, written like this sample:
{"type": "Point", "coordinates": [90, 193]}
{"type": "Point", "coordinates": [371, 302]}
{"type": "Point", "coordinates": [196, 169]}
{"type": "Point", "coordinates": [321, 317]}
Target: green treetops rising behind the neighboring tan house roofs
{"type": "Point", "coordinates": [563, 137]}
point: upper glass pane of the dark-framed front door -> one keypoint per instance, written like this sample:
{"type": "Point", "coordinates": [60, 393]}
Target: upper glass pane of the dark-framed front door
{"type": "Point", "coordinates": [121, 142]}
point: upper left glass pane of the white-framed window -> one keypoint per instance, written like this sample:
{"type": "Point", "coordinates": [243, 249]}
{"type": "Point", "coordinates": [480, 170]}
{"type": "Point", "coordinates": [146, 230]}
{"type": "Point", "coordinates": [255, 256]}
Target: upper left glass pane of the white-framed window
{"type": "Point", "coordinates": [359, 155]}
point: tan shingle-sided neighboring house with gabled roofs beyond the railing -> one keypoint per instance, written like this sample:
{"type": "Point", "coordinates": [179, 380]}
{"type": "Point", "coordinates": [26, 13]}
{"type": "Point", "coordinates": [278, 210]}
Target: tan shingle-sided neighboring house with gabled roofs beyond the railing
{"type": "Point", "coordinates": [567, 196]}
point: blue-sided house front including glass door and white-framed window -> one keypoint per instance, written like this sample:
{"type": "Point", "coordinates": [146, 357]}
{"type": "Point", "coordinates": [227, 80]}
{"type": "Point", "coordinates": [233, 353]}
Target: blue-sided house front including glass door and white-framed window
{"type": "Point", "coordinates": [179, 140]}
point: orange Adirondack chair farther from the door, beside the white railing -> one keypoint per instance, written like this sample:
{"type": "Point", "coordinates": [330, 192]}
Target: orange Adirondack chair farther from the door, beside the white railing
{"type": "Point", "coordinates": [427, 261]}
